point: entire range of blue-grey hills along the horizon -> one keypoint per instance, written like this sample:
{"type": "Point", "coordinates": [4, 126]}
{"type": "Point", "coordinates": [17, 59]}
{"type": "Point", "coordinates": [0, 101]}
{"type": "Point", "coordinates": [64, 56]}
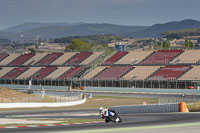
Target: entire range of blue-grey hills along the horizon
{"type": "Point", "coordinates": [57, 30]}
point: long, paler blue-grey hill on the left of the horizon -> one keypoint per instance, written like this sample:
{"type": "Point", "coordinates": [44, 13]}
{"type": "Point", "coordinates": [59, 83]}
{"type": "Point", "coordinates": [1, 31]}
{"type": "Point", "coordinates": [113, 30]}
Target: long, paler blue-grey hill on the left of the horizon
{"type": "Point", "coordinates": [32, 30]}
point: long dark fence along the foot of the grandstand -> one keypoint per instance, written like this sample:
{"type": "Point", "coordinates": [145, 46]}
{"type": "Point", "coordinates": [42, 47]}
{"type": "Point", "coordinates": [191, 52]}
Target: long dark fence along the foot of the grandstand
{"type": "Point", "coordinates": [173, 84]}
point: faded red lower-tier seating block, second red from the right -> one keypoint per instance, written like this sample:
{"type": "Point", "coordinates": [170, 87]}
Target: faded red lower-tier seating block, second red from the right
{"type": "Point", "coordinates": [113, 72]}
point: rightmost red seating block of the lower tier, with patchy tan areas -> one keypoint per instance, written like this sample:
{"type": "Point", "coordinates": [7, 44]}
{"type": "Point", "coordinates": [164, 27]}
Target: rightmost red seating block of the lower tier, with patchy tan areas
{"type": "Point", "coordinates": [169, 73]}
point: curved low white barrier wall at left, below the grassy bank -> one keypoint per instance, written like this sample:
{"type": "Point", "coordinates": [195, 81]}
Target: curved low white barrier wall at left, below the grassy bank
{"type": "Point", "coordinates": [36, 105]}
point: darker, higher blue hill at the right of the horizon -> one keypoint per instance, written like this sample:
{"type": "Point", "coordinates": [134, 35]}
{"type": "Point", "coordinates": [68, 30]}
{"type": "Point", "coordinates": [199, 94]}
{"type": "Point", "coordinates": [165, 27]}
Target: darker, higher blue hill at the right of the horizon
{"type": "Point", "coordinates": [157, 29]}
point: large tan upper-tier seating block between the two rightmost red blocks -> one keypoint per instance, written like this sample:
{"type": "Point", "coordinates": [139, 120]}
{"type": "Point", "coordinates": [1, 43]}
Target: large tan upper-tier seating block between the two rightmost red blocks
{"type": "Point", "coordinates": [133, 57]}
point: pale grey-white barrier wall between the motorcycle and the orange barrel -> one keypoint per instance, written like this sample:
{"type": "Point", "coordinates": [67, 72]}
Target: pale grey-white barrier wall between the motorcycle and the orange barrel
{"type": "Point", "coordinates": [152, 108]}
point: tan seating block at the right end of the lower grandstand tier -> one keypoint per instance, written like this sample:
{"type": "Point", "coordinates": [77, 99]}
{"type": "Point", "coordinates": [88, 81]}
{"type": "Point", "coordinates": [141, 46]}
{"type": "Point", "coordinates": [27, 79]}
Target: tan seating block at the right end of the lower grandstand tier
{"type": "Point", "coordinates": [193, 74]}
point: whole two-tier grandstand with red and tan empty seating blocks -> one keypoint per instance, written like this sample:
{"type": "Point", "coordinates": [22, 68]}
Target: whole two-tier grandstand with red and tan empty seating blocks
{"type": "Point", "coordinates": [154, 69]}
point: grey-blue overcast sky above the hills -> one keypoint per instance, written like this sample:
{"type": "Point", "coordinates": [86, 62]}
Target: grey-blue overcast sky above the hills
{"type": "Point", "coordinates": [123, 12]}
